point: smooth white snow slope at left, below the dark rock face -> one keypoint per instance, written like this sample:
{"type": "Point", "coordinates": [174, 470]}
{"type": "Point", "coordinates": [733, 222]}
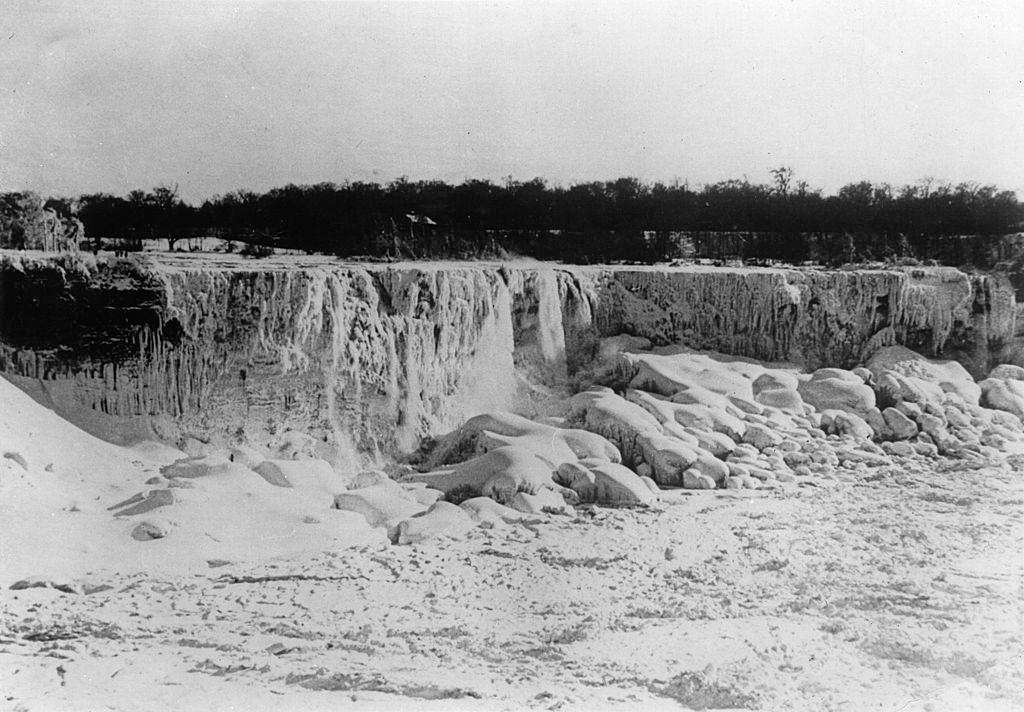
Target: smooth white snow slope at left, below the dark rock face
{"type": "Point", "coordinates": [76, 509]}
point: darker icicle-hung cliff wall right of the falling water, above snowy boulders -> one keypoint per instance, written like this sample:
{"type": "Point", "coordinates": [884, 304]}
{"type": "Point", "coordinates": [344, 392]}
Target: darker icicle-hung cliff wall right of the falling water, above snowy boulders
{"type": "Point", "coordinates": [813, 317]}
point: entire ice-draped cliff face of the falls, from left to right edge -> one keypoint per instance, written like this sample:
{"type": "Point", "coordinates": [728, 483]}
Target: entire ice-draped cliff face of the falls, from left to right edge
{"type": "Point", "coordinates": [374, 358]}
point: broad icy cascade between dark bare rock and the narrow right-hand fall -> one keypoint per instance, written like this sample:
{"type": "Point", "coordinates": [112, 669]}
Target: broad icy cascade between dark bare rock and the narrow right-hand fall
{"type": "Point", "coordinates": [371, 361]}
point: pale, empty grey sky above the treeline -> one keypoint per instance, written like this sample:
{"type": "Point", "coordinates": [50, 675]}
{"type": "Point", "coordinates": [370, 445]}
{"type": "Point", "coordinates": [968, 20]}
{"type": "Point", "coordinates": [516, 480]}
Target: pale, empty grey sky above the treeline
{"type": "Point", "coordinates": [218, 97]}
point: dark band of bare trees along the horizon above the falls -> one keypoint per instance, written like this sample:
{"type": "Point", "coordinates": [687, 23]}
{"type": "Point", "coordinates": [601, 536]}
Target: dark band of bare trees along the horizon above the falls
{"type": "Point", "coordinates": [624, 220]}
